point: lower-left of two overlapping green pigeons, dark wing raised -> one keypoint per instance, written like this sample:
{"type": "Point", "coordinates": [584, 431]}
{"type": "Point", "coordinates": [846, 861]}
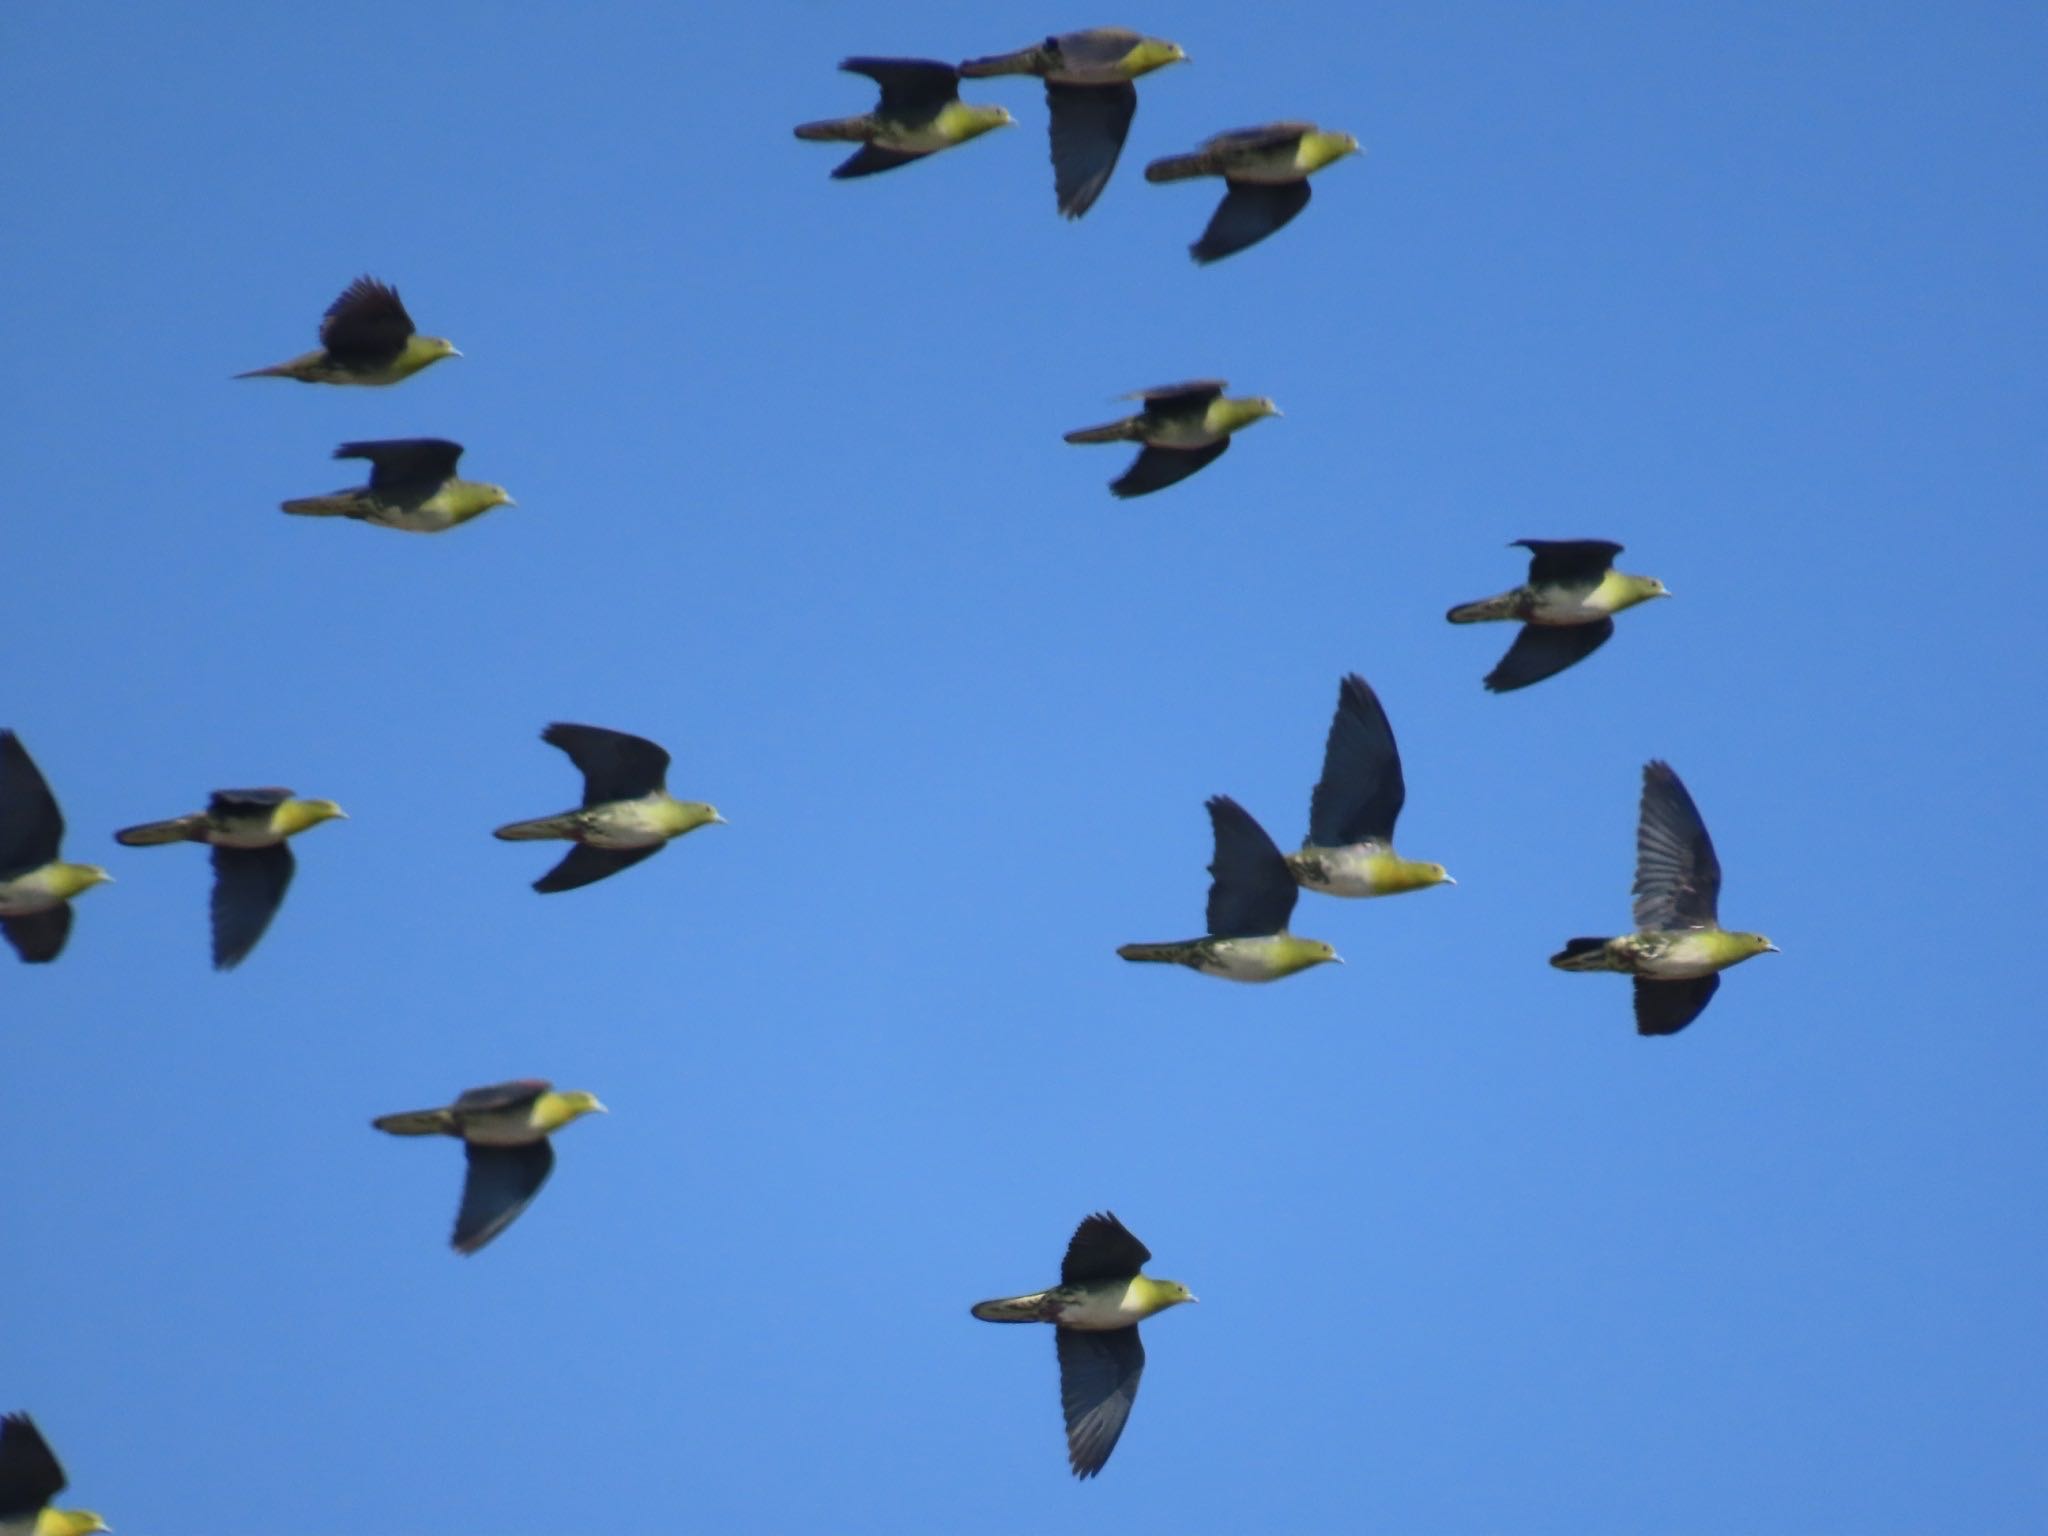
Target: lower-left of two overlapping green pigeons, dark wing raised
{"type": "Point", "coordinates": [1250, 900]}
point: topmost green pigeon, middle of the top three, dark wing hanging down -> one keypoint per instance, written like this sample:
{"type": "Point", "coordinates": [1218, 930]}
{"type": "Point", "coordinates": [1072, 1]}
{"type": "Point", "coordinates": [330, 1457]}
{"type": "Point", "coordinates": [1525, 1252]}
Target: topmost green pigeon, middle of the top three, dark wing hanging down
{"type": "Point", "coordinates": [1091, 97]}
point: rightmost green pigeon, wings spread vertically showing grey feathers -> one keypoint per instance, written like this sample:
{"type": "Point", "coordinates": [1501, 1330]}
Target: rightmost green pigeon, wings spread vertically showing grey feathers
{"type": "Point", "coordinates": [1680, 945]}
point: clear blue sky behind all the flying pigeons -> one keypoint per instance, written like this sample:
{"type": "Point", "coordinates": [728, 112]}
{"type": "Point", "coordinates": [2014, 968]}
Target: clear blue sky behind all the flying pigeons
{"type": "Point", "coordinates": [1756, 294]}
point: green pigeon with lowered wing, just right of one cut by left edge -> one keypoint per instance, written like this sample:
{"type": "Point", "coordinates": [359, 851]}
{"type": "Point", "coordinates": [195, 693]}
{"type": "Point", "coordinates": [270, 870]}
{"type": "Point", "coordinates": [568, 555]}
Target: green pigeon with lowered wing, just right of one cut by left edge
{"type": "Point", "coordinates": [253, 867]}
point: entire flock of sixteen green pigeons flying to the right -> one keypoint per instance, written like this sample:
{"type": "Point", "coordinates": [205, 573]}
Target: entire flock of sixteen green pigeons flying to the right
{"type": "Point", "coordinates": [1676, 951]}
